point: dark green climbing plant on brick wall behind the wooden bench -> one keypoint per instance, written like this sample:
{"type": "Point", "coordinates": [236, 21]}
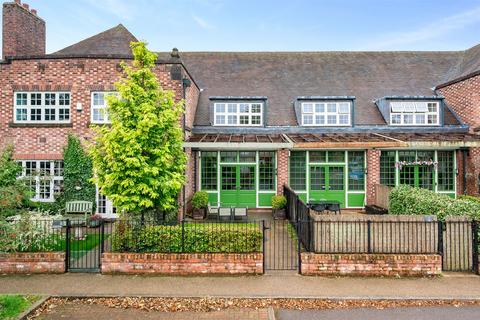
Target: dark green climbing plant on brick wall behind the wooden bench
{"type": "Point", "coordinates": [78, 173]}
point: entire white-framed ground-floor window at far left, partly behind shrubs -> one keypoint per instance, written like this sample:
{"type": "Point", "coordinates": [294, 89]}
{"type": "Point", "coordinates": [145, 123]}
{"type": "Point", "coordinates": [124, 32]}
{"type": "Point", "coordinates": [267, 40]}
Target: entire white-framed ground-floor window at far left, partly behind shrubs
{"type": "Point", "coordinates": [43, 177]}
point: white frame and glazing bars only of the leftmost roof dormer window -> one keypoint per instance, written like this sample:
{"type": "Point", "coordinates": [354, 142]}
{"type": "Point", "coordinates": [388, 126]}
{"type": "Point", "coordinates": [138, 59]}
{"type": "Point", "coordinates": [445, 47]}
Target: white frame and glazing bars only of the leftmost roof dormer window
{"type": "Point", "coordinates": [238, 114]}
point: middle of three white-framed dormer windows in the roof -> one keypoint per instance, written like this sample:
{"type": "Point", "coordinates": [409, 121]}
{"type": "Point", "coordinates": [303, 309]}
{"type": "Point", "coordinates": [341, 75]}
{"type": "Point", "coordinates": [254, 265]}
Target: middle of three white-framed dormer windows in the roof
{"type": "Point", "coordinates": [326, 113]}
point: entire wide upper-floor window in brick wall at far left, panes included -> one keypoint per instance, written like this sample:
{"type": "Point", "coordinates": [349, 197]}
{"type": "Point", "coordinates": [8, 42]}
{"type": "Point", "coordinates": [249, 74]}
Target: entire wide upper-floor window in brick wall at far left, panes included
{"type": "Point", "coordinates": [41, 107]}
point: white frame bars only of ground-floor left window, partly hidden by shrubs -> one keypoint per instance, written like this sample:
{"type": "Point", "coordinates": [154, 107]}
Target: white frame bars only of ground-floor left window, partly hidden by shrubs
{"type": "Point", "coordinates": [51, 177]}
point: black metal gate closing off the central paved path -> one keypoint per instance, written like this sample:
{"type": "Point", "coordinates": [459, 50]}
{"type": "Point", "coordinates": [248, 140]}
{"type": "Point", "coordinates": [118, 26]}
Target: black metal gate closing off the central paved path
{"type": "Point", "coordinates": [280, 245]}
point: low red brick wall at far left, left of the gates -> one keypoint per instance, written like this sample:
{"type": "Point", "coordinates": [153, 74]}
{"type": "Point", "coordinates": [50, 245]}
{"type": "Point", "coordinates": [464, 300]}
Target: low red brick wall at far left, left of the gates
{"type": "Point", "coordinates": [32, 262]}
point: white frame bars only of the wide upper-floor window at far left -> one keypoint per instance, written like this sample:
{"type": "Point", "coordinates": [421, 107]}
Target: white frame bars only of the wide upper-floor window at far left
{"type": "Point", "coordinates": [42, 107]}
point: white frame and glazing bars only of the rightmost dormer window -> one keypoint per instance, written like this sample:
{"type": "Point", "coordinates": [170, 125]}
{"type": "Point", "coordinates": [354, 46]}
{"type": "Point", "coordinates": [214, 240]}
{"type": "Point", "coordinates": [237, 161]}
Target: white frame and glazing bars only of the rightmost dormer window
{"type": "Point", "coordinates": [413, 110]}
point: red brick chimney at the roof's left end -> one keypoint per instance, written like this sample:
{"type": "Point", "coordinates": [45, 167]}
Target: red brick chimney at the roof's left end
{"type": "Point", "coordinates": [23, 31]}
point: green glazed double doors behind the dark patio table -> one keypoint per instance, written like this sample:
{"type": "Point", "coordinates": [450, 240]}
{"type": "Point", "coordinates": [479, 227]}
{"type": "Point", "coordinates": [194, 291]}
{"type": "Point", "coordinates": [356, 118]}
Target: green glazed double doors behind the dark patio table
{"type": "Point", "coordinates": [327, 183]}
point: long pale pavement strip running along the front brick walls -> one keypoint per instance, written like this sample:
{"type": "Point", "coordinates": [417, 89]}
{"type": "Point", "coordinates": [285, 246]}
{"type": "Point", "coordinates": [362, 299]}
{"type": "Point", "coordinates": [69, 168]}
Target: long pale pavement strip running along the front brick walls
{"type": "Point", "coordinates": [273, 285]}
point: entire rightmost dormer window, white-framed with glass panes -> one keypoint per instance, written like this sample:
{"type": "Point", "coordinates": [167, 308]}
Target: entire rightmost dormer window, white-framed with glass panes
{"type": "Point", "coordinates": [414, 113]}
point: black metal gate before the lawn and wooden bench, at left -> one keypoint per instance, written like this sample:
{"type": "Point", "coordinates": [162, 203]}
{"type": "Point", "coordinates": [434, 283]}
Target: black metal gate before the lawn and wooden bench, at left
{"type": "Point", "coordinates": [84, 245]}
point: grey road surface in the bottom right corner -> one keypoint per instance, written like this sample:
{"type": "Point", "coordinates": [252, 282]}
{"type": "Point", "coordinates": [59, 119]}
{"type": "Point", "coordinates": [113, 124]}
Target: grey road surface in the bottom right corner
{"type": "Point", "coordinates": [407, 313]}
